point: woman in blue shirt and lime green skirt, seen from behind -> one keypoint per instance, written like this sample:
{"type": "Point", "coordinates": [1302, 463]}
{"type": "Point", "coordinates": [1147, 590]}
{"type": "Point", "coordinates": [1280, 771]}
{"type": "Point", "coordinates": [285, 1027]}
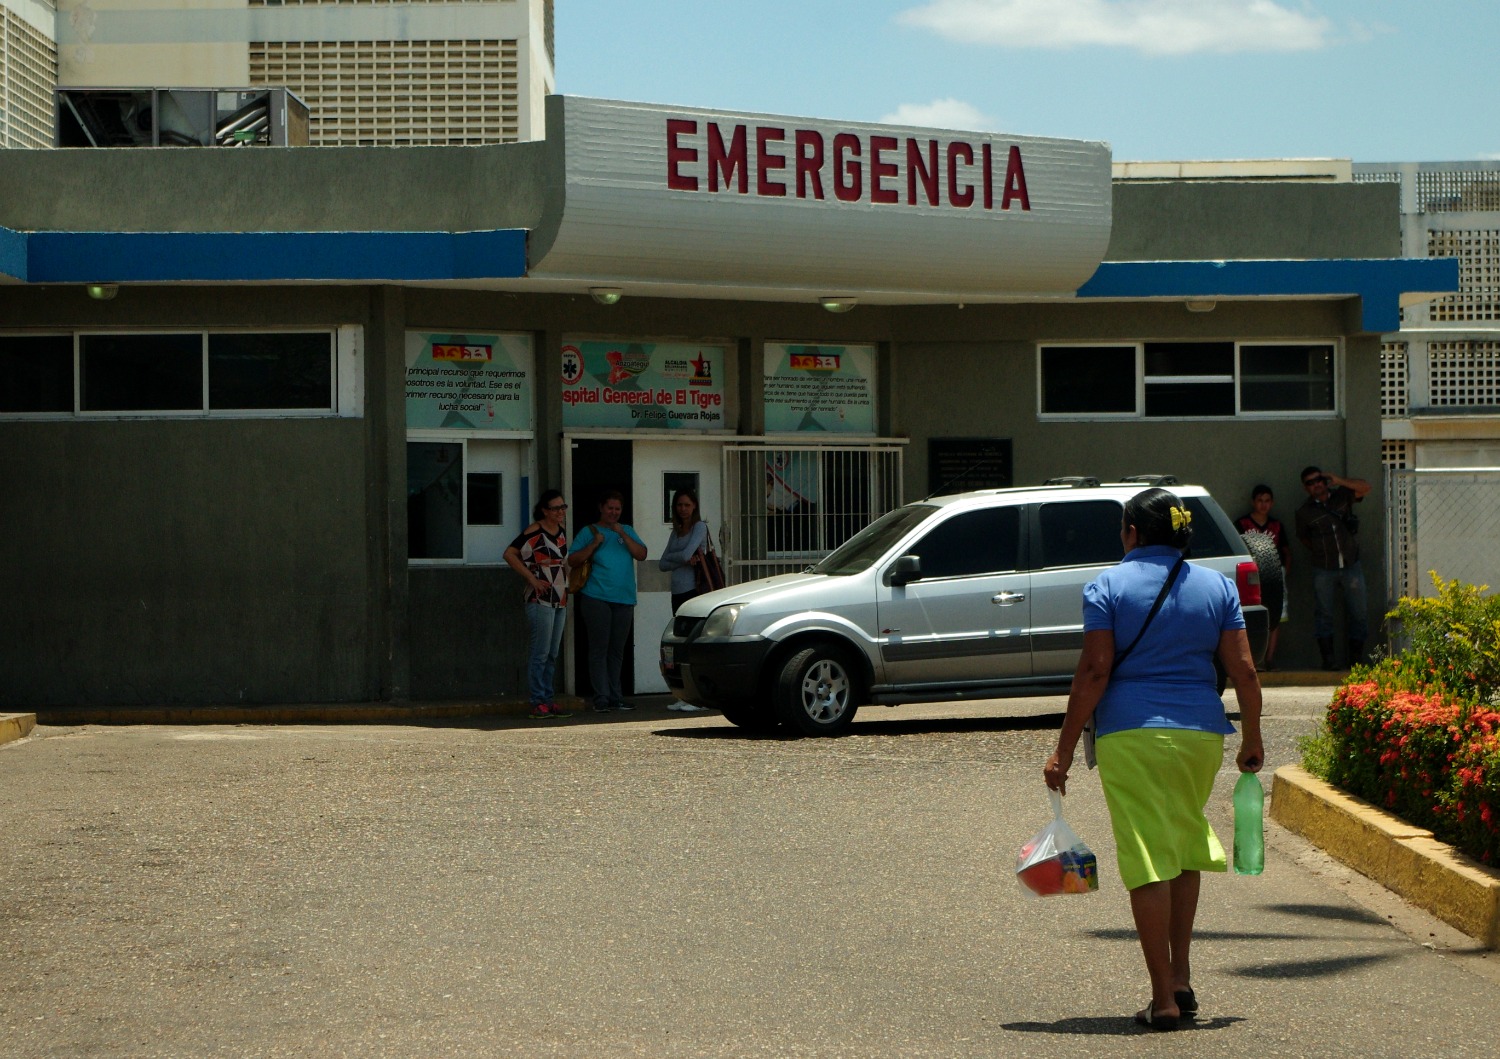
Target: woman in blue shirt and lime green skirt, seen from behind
{"type": "Point", "coordinates": [1151, 628]}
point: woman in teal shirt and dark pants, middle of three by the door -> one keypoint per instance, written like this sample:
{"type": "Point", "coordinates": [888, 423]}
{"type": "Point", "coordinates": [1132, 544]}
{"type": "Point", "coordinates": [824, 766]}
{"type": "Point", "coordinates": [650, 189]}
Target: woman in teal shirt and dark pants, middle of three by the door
{"type": "Point", "coordinates": [608, 599]}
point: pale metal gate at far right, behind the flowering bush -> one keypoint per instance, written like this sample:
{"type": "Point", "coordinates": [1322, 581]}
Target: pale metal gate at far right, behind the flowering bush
{"type": "Point", "coordinates": [1445, 521]}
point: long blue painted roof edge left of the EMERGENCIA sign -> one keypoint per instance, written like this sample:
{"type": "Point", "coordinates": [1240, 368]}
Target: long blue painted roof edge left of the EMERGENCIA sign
{"type": "Point", "coordinates": [109, 257]}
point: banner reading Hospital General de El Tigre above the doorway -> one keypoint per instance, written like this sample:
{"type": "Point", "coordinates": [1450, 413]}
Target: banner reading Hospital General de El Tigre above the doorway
{"type": "Point", "coordinates": [652, 385]}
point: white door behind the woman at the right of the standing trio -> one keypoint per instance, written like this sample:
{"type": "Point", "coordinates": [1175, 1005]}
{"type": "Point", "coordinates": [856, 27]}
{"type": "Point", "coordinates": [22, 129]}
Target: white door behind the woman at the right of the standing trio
{"type": "Point", "coordinates": [659, 470]}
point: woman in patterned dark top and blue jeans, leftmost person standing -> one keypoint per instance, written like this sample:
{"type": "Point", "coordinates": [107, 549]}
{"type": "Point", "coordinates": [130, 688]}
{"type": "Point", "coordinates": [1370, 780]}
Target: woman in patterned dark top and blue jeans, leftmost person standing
{"type": "Point", "coordinates": [541, 557]}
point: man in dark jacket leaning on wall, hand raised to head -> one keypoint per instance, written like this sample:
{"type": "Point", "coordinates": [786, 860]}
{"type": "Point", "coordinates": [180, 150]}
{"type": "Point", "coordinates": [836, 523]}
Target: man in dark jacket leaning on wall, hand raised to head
{"type": "Point", "coordinates": [1327, 527]}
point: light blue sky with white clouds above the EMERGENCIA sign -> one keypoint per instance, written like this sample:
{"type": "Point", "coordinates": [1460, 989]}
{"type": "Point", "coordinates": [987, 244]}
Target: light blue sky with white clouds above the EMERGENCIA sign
{"type": "Point", "coordinates": [1369, 80]}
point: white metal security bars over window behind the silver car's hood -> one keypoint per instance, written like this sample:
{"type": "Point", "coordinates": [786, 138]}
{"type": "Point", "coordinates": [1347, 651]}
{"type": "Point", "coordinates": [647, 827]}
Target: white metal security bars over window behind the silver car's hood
{"type": "Point", "coordinates": [790, 506]}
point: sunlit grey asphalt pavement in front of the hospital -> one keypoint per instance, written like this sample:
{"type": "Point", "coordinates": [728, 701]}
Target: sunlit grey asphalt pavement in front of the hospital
{"type": "Point", "coordinates": [656, 884]}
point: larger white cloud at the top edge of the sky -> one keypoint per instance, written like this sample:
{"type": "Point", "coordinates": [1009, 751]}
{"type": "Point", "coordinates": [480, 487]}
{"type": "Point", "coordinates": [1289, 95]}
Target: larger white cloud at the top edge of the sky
{"type": "Point", "coordinates": [1157, 28]}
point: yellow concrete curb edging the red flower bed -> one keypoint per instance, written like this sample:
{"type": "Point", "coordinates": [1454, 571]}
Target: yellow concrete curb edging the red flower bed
{"type": "Point", "coordinates": [1406, 860]}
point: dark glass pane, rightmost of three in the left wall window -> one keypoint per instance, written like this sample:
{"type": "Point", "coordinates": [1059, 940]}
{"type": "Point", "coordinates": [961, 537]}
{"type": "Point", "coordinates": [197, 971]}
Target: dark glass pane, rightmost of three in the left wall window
{"type": "Point", "coordinates": [271, 371]}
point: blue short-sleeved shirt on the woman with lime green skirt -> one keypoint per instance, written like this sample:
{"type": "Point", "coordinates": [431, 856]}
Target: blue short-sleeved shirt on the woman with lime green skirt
{"type": "Point", "coordinates": [1169, 680]}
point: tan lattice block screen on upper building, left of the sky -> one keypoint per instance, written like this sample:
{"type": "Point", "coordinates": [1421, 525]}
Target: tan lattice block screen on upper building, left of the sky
{"type": "Point", "coordinates": [398, 94]}
